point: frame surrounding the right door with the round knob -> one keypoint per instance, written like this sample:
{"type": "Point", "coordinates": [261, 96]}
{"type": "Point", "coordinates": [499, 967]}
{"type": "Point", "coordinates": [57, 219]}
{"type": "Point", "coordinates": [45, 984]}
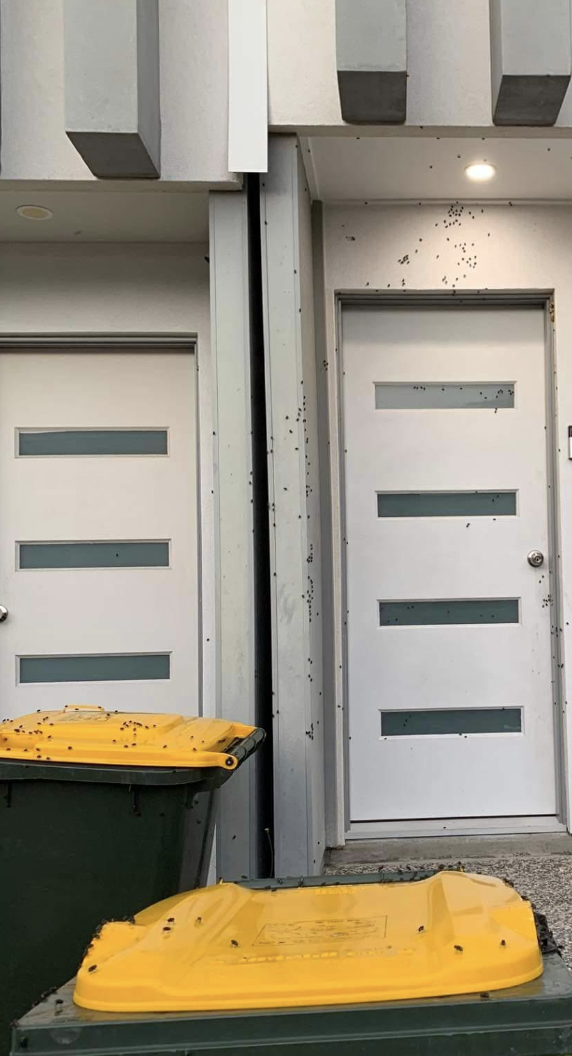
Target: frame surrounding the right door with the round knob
{"type": "Point", "coordinates": [338, 824]}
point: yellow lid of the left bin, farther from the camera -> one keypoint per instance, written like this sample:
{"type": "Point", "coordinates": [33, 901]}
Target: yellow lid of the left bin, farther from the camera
{"type": "Point", "coordinates": [83, 733]}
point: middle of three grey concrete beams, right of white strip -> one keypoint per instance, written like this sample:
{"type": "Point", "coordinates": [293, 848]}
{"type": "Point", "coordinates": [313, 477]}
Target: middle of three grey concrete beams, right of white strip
{"type": "Point", "coordinates": [371, 45]}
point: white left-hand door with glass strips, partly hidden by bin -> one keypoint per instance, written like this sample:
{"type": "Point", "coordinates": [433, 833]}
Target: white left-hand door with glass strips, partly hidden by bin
{"type": "Point", "coordinates": [99, 532]}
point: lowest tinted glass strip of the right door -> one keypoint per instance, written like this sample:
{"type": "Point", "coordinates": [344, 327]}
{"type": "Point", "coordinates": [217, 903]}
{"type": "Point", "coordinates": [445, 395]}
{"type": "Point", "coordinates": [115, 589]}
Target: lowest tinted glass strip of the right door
{"type": "Point", "coordinates": [462, 721]}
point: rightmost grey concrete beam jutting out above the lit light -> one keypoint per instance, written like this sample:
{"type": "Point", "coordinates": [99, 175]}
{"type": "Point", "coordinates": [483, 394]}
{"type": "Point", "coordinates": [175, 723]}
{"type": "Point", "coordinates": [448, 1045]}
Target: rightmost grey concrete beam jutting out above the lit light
{"type": "Point", "coordinates": [531, 61]}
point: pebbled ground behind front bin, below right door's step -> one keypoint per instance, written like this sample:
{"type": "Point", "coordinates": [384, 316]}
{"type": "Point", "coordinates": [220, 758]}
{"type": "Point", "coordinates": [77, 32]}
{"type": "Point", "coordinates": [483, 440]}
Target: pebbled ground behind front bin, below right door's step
{"type": "Point", "coordinates": [546, 880]}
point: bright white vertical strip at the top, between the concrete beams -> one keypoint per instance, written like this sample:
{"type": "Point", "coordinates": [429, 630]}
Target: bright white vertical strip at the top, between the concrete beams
{"type": "Point", "coordinates": [247, 87]}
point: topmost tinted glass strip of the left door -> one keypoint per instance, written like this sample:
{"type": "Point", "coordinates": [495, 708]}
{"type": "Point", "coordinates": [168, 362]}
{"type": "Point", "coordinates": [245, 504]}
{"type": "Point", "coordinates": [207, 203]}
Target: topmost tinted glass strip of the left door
{"type": "Point", "coordinates": [93, 442]}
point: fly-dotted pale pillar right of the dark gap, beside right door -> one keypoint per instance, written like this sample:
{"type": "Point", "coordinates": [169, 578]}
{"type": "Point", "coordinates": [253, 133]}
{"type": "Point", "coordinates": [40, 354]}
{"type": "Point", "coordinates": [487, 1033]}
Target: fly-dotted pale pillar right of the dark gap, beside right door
{"type": "Point", "coordinates": [294, 514]}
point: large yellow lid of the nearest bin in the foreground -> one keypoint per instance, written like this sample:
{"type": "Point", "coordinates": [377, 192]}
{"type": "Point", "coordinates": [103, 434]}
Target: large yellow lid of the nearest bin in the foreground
{"type": "Point", "coordinates": [230, 947]}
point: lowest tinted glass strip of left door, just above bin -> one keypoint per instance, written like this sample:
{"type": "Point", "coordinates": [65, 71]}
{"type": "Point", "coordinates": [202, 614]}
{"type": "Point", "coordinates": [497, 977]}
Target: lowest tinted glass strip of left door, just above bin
{"type": "Point", "coordinates": [115, 668]}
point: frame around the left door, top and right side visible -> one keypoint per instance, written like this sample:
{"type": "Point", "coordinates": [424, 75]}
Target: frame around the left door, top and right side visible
{"type": "Point", "coordinates": [132, 343]}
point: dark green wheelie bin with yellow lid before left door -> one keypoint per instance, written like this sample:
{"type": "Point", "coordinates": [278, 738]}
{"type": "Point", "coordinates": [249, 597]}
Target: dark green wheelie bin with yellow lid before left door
{"type": "Point", "coordinates": [101, 815]}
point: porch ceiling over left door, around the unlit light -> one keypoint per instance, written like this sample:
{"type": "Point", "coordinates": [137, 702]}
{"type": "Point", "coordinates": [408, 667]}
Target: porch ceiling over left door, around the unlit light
{"type": "Point", "coordinates": [107, 216]}
